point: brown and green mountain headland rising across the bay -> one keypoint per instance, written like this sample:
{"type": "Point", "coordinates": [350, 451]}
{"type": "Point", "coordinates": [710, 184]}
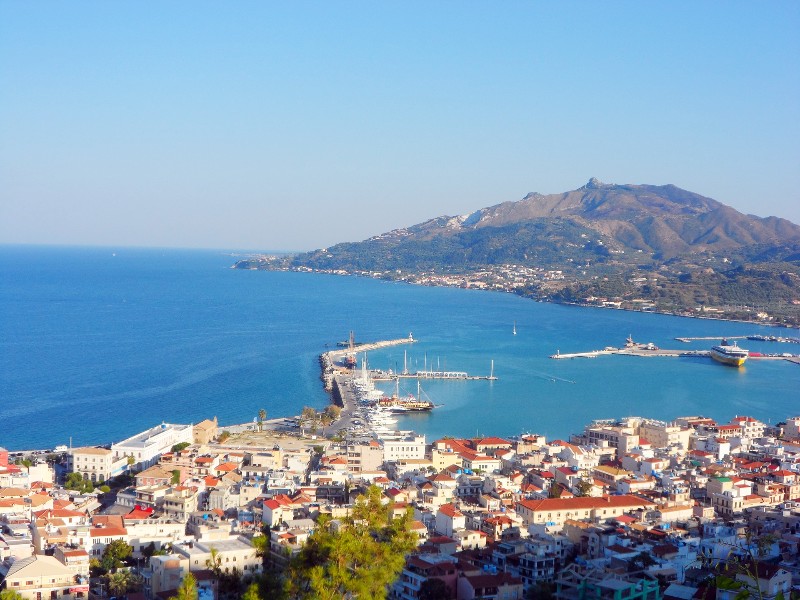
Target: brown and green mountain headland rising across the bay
{"type": "Point", "coordinates": [600, 237]}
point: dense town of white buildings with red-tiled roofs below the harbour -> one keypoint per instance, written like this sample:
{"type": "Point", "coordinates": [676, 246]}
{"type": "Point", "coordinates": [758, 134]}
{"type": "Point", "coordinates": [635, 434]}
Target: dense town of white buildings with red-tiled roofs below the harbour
{"type": "Point", "coordinates": [631, 508]}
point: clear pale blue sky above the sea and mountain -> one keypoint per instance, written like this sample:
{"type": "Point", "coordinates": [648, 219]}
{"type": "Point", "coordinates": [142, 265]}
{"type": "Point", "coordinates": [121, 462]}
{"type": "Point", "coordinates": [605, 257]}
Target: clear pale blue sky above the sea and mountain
{"type": "Point", "coordinates": [293, 125]}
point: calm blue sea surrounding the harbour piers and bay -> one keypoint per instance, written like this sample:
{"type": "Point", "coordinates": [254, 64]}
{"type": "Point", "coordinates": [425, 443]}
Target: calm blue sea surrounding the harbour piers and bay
{"type": "Point", "coordinates": [98, 344]}
